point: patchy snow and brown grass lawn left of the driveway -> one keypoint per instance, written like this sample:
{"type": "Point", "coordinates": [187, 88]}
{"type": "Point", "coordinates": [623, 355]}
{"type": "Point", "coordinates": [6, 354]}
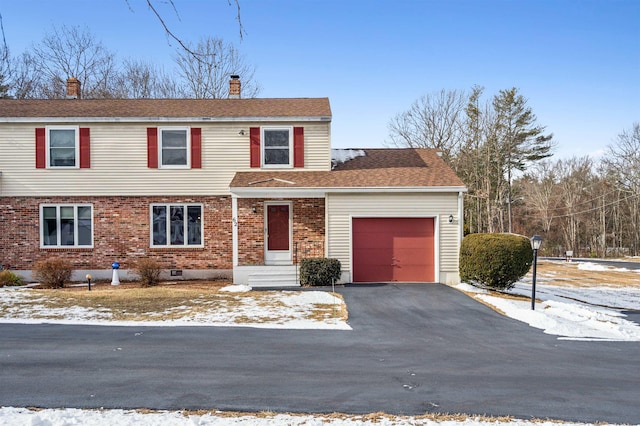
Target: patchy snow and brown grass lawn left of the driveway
{"type": "Point", "coordinates": [264, 309]}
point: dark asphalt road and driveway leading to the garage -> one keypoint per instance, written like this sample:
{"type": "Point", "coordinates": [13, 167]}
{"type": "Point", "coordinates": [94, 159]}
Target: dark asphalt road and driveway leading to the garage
{"type": "Point", "coordinates": [413, 349]}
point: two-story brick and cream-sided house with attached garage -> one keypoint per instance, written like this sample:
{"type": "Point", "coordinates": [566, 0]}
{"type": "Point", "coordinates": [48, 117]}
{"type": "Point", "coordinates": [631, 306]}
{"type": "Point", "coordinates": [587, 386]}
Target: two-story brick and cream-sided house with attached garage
{"type": "Point", "coordinates": [240, 188]}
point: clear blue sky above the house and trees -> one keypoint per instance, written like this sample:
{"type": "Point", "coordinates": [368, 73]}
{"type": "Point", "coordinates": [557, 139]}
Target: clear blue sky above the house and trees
{"type": "Point", "coordinates": [577, 62]}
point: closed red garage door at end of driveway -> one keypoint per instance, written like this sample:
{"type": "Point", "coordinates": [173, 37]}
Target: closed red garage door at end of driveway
{"type": "Point", "coordinates": [393, 249]}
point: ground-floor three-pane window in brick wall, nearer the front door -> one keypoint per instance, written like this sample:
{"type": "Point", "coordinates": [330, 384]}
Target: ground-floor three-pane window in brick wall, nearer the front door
{"type": "Point", "coordinates": [176, 225]}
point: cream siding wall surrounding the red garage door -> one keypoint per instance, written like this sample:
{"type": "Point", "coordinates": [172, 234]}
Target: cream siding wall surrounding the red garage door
{"type": "Point", "coordinates": [341, 208]}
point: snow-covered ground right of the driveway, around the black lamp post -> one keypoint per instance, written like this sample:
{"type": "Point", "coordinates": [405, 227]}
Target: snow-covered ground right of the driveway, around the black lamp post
{"type": "Point", "coordinates": [571, 311]}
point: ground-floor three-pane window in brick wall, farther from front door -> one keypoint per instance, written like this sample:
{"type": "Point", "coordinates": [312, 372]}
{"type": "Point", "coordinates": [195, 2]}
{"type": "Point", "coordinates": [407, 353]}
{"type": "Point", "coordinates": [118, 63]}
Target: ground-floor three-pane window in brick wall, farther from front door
{"type": "Point", "coordinates": [66, 225]}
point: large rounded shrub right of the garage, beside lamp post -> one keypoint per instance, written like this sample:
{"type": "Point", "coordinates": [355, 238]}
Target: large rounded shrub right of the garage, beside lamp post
{"type": "Point", "coordinates": [495, 260]}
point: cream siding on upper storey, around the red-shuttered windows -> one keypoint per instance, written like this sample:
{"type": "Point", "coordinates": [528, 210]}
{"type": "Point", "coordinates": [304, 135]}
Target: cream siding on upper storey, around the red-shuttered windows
{"type": "Point", "coordinates": [119, 161]}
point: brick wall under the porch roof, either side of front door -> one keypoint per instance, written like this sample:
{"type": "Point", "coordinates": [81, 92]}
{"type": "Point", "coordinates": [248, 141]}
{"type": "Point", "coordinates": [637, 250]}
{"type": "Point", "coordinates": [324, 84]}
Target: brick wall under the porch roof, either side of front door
{"type": "Point", "coordinates": [308, 228]}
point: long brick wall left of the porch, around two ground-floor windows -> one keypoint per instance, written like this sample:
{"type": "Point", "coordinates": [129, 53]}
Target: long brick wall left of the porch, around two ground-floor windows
{"type": "Point", "coordinates": [121, 232]}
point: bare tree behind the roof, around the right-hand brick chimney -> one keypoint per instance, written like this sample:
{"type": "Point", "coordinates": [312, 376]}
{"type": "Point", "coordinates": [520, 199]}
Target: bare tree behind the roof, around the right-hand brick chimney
{"type": "Point", "coordinates": [207, 76]}
